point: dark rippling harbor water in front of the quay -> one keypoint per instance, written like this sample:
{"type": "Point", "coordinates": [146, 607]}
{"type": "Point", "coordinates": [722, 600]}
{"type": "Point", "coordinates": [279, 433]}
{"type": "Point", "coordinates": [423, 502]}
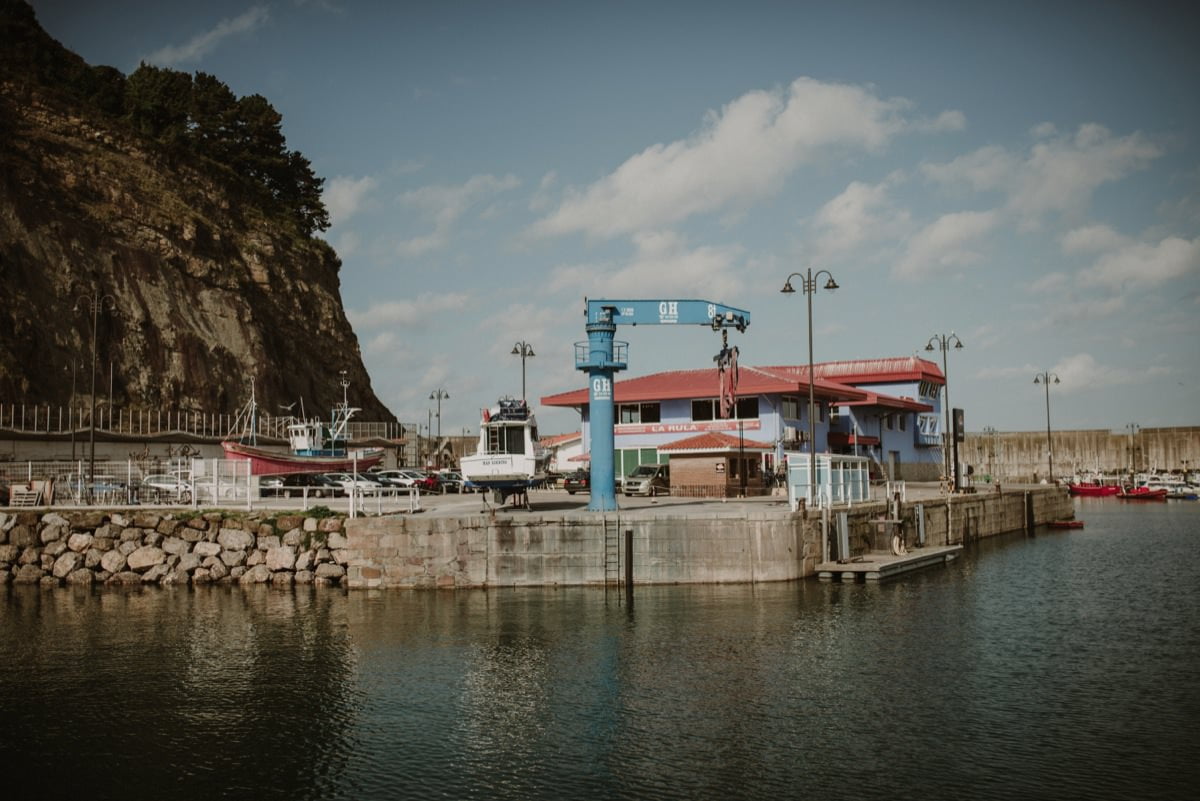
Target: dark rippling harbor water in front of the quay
{"type": "Point", "coordinates": [1059, 666]}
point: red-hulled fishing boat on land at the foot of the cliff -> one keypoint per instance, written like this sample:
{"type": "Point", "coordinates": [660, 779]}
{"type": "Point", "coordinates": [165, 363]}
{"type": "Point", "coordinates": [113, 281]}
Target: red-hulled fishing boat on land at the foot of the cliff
{"type": "Point", "coordinates": [314, 445]}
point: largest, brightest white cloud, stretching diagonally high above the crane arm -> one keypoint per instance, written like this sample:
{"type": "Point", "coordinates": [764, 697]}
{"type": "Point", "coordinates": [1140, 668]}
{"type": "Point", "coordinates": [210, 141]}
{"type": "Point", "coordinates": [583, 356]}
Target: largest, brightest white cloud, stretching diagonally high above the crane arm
{"type": "Point", "coordinates": [743, 154]}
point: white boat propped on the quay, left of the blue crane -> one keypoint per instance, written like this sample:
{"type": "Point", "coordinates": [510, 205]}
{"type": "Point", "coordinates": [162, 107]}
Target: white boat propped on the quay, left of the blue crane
{"type": "Point", "coordinates": [509, 460]}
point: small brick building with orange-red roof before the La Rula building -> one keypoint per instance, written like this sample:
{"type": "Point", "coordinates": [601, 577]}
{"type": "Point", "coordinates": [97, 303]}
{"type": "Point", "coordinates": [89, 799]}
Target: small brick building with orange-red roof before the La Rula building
{"type": "Point", "coordinates": [717, 466]}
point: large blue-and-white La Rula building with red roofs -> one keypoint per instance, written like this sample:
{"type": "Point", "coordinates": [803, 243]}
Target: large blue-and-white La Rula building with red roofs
{"type": "Point", "coordinates": [887, 409]}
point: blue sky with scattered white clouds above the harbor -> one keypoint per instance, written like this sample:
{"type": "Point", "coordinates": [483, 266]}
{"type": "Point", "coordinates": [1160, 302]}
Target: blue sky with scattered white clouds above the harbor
{"type": "Point", "coordinates": [1023, 176]}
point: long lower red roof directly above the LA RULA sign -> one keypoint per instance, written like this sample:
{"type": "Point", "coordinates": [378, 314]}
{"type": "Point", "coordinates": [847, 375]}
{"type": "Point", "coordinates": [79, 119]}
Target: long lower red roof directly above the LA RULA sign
{"type": "Point", "coordinates": [706, 384]}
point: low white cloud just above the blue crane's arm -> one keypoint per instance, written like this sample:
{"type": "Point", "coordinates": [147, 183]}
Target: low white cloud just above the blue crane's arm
{"type": "Point", "coordinates": [663, 264]}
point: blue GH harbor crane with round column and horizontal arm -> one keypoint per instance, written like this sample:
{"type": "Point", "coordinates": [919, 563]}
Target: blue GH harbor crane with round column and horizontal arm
{"type": "Point", "coordinates": [603, 358]}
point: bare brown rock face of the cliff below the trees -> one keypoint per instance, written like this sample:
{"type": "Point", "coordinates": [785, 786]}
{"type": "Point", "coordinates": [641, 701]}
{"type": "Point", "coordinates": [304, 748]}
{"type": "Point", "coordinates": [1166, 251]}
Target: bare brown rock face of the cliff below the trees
{"type": "Point", "coordinates": [201, 287]}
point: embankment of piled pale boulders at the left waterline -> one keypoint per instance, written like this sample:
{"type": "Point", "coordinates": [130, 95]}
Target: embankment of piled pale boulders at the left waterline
{"type": "Point", "coordinates": [88, 547]}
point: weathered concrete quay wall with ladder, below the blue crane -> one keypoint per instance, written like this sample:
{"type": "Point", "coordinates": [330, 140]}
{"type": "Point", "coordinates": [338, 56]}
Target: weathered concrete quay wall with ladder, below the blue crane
{"type": "Point", "coordinates": [681, 540]}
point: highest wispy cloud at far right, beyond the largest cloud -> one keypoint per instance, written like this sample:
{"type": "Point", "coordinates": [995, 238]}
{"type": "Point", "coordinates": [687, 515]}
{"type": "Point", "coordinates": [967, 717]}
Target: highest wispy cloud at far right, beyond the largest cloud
{"type": "Point", "coordinates": [1059, 176]}
